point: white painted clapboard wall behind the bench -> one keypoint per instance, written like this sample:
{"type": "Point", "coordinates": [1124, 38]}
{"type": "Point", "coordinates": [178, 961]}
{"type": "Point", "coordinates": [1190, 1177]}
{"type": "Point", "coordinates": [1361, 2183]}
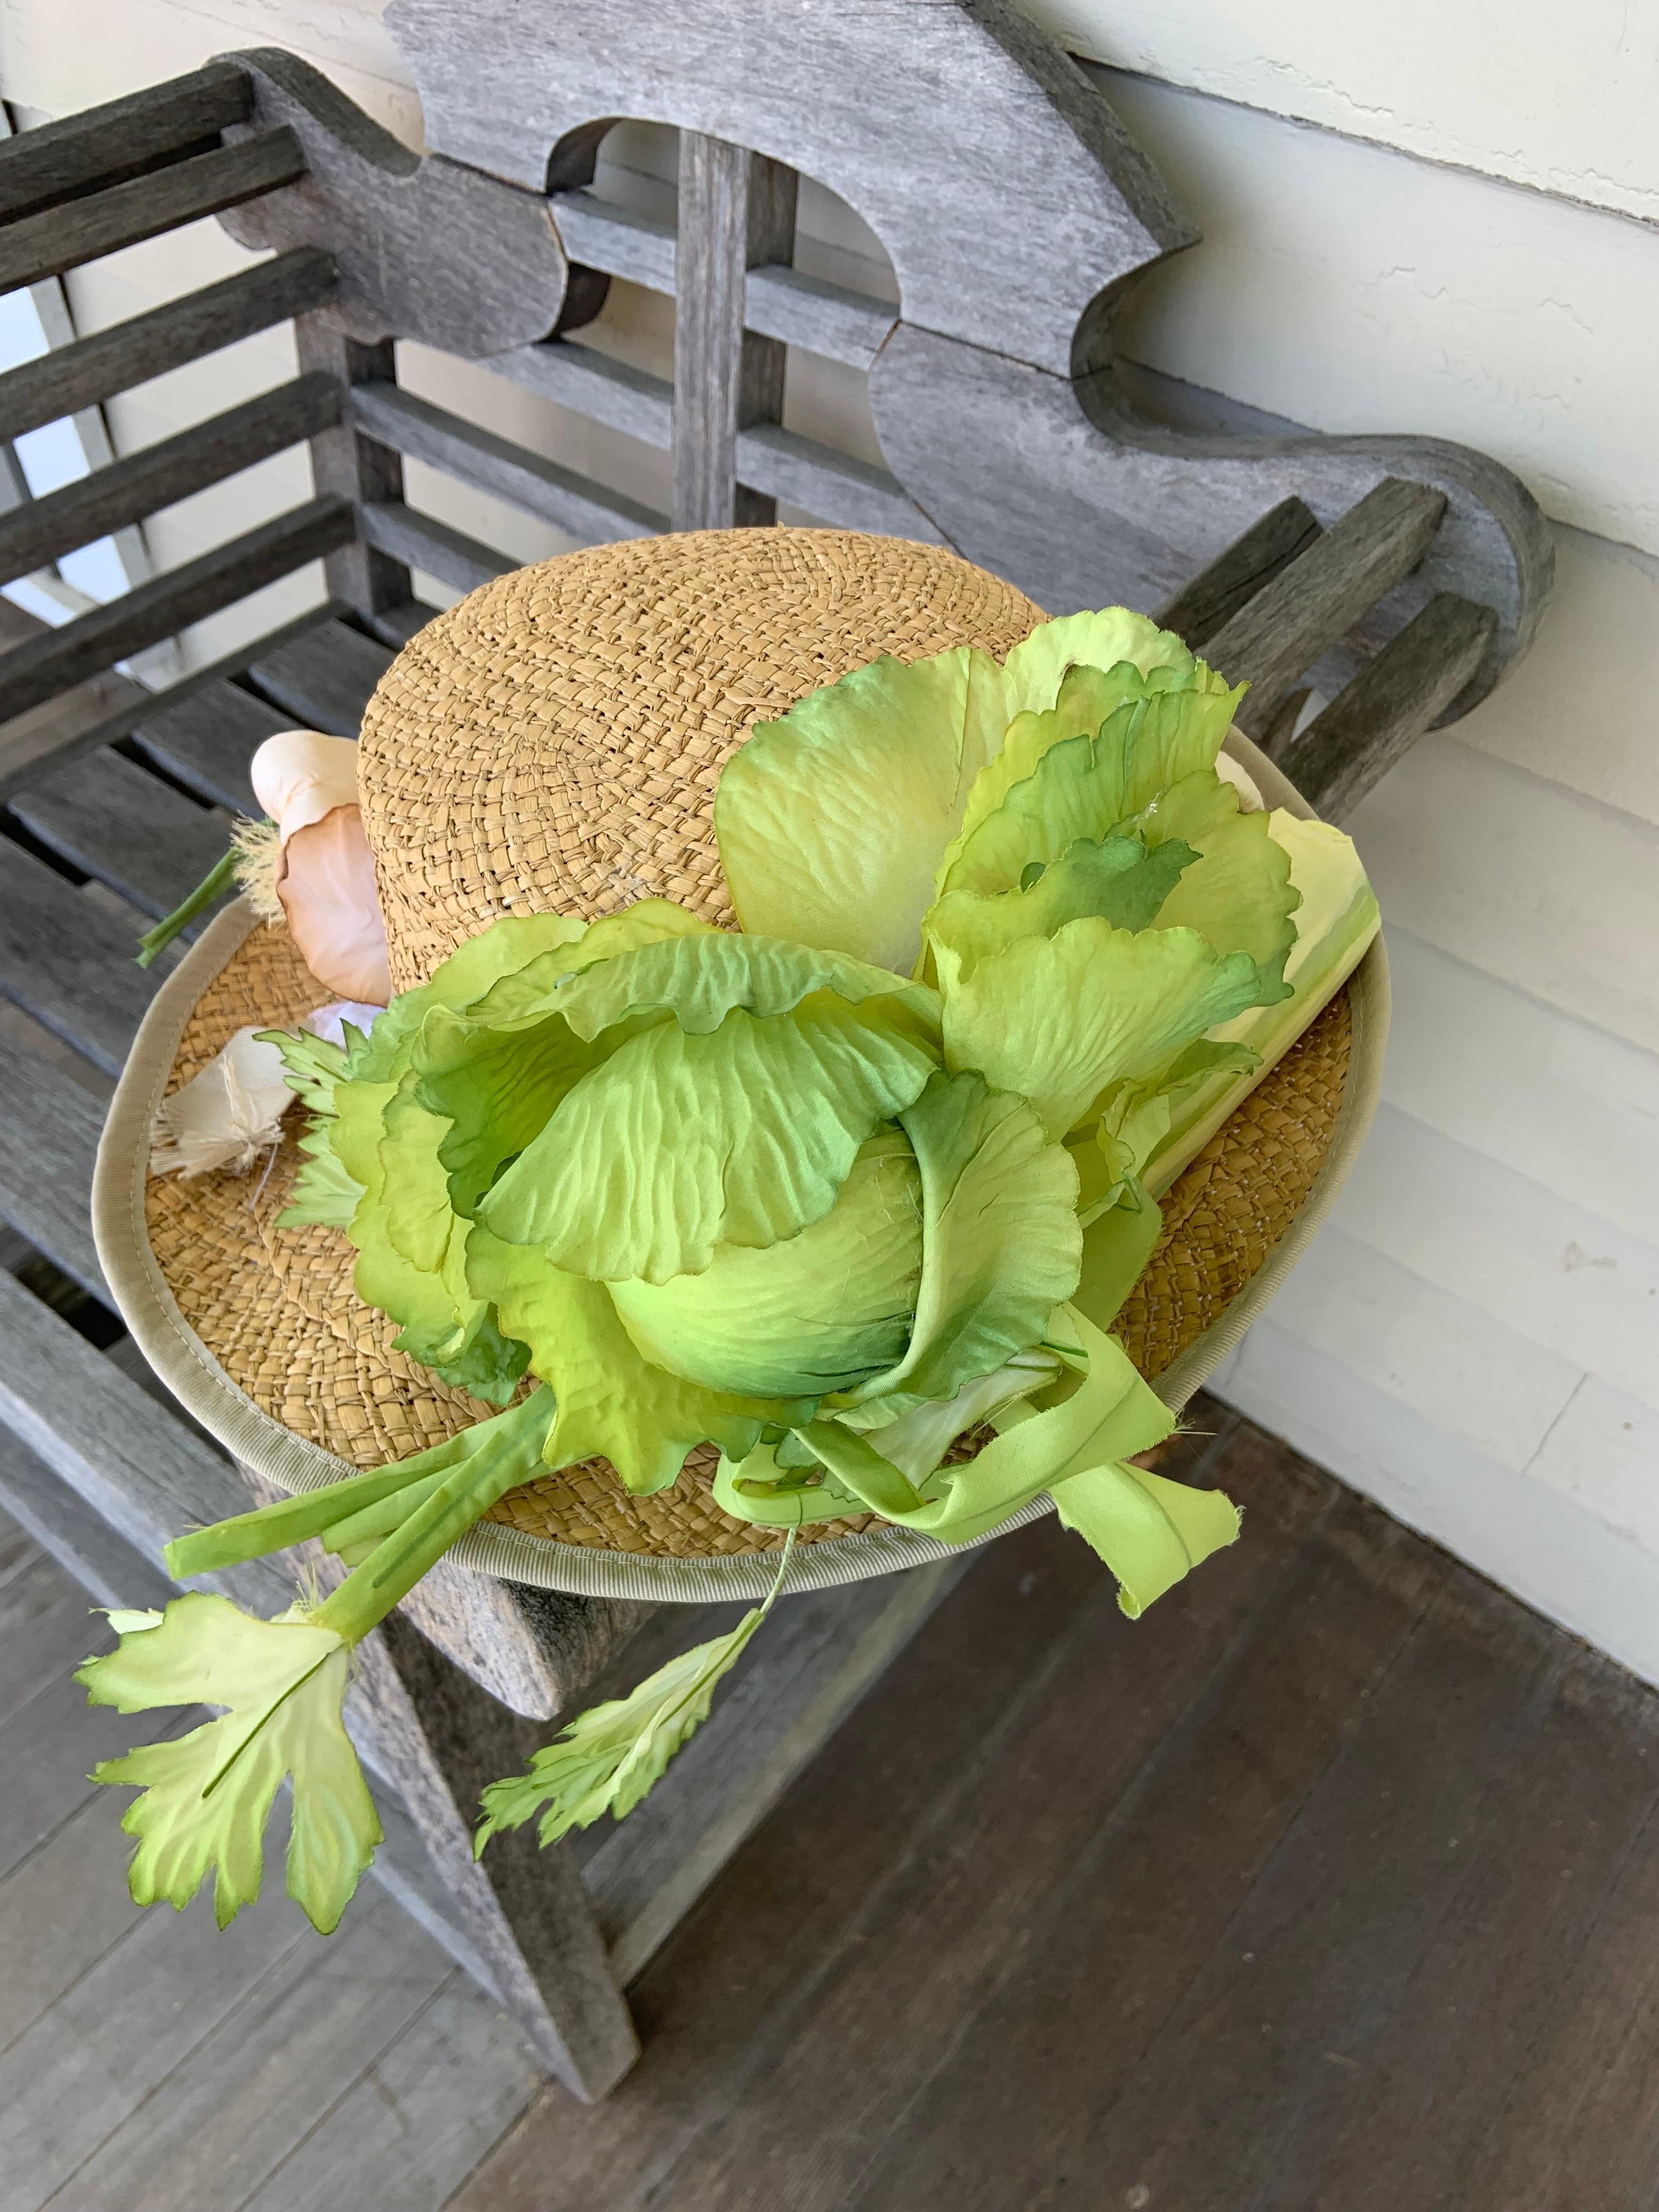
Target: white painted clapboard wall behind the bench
{"type": "Point", "coordinates": [1463, 251]}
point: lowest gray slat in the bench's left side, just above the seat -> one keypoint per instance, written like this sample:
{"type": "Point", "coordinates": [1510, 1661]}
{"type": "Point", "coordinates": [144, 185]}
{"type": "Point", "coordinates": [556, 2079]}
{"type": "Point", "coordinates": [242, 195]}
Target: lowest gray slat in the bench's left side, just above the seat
{"type": "Point", "coordinates": [163, 607]}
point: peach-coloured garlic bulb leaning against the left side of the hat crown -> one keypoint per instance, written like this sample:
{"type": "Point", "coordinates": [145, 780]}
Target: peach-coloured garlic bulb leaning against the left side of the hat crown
{"type": "Point", "coordinates": [324, 875]}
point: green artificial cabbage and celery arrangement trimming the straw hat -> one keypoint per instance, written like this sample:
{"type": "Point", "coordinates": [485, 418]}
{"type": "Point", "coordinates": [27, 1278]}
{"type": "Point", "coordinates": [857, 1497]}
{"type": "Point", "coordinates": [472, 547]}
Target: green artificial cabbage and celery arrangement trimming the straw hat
{"type": "Point", "coordinates": [835, 1191]}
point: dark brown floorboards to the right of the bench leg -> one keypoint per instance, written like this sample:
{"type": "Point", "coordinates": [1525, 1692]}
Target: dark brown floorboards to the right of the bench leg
{"type": "Point", "coordinates": [1333, 1888]}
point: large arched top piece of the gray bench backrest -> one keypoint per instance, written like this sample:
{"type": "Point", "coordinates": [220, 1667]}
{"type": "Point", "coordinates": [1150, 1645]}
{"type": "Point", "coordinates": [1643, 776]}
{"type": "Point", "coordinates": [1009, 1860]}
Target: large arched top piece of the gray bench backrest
{"type": "Point", "coordinates": [994, 171]}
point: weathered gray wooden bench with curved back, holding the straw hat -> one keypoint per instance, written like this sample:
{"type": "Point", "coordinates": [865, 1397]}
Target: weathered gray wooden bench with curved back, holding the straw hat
{"type": "Point", "coordinates": [1397, 576]}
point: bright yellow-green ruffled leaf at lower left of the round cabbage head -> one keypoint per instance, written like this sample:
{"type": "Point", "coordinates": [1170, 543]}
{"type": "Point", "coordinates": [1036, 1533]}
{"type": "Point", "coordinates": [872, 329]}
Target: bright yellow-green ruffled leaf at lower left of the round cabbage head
{"type": "Point", "coordinates": [612, 1404]}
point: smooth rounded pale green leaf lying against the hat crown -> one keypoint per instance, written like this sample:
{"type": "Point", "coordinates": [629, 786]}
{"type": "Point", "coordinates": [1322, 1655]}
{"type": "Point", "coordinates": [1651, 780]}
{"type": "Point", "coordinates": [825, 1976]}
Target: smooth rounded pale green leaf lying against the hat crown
{"type": "Point", "coordinates": [833, 820]}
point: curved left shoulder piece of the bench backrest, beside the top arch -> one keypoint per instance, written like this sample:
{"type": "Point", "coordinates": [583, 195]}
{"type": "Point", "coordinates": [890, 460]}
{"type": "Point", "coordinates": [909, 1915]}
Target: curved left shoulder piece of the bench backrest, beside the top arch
{"type": "Point", "coordinates": [426, 249]}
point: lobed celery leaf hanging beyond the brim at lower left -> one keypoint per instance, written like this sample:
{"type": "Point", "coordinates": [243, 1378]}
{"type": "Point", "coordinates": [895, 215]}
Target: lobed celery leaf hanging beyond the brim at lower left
{"type": "Point", "coordinates": [207, 1797]}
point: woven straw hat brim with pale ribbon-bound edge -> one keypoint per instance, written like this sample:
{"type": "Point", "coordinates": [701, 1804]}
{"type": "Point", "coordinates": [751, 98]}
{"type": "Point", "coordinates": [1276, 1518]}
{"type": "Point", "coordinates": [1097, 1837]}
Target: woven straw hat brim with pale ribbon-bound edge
{"type": "Point", "coordinates": [262, 1337]}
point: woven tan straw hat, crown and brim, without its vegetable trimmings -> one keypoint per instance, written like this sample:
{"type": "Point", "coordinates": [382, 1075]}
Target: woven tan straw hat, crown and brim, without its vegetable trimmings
{"type": "Point", "coordinates": [554, 744]}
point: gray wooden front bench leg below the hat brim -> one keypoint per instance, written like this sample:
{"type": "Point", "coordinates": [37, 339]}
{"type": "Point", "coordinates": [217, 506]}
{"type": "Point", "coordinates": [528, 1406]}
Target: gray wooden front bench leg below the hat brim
{"type": "Point", "coordinates": [439, 1740]}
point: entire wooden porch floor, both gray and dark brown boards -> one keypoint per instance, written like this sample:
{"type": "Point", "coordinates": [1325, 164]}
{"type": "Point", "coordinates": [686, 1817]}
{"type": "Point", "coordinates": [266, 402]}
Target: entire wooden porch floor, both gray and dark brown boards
{"type": "Point", "coordinates": [1333, 1884]}
